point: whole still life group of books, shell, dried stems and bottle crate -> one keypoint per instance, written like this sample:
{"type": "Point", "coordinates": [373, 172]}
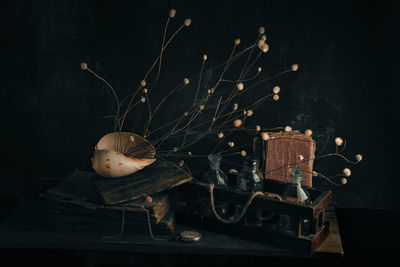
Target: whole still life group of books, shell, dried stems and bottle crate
{"type": "Point", "coordinates": [143, 174]}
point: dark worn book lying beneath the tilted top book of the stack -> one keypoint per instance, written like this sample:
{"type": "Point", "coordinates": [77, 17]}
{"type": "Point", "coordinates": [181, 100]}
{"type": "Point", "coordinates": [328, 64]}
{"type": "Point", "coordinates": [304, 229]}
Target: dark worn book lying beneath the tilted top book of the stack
{"type": "Point", "coordinates": [76, 196]}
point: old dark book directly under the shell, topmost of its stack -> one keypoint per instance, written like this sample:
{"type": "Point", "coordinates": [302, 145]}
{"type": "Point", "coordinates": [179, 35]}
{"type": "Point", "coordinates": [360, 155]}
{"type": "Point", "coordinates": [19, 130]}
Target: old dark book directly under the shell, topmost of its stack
{"type": "Point", "coordinates": [157, 177]}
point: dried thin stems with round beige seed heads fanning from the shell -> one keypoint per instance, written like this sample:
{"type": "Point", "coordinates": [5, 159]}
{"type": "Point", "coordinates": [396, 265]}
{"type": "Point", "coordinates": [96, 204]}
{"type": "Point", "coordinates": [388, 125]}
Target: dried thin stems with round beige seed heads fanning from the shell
{"type": "Point", "coordinates": [214, 111]}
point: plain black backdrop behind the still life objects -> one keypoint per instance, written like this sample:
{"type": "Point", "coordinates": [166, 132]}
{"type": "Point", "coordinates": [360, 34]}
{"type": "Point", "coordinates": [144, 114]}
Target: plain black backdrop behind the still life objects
{"type": "Point", "coordinates": [346, 84]}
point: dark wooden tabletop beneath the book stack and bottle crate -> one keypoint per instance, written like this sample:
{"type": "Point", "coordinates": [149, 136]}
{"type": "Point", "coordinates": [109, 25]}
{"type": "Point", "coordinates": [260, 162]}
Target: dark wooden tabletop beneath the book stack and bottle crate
{"type": "Point", "coordinates": [211, 243]}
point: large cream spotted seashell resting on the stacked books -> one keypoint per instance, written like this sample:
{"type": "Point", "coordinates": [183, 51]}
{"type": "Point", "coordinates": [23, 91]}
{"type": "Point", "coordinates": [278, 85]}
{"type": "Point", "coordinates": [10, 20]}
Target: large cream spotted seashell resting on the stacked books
{"type": "Point", "coordinates": [121, 153]}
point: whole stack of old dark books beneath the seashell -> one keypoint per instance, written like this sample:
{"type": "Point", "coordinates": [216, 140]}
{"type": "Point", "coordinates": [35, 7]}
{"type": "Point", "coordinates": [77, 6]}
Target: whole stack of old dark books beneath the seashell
{"type": "Point", "coordinates": [85, 202]}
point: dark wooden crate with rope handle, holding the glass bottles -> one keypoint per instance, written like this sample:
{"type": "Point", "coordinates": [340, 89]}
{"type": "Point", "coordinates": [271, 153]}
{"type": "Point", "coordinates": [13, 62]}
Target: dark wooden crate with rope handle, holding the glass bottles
{"type": "Point", "coordinates": [303, 241]}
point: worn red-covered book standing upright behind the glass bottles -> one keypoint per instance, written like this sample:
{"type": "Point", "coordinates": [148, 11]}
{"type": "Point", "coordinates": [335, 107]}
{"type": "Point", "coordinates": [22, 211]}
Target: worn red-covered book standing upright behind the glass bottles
{"type": "Point", "coordinates": [285, 150]}
